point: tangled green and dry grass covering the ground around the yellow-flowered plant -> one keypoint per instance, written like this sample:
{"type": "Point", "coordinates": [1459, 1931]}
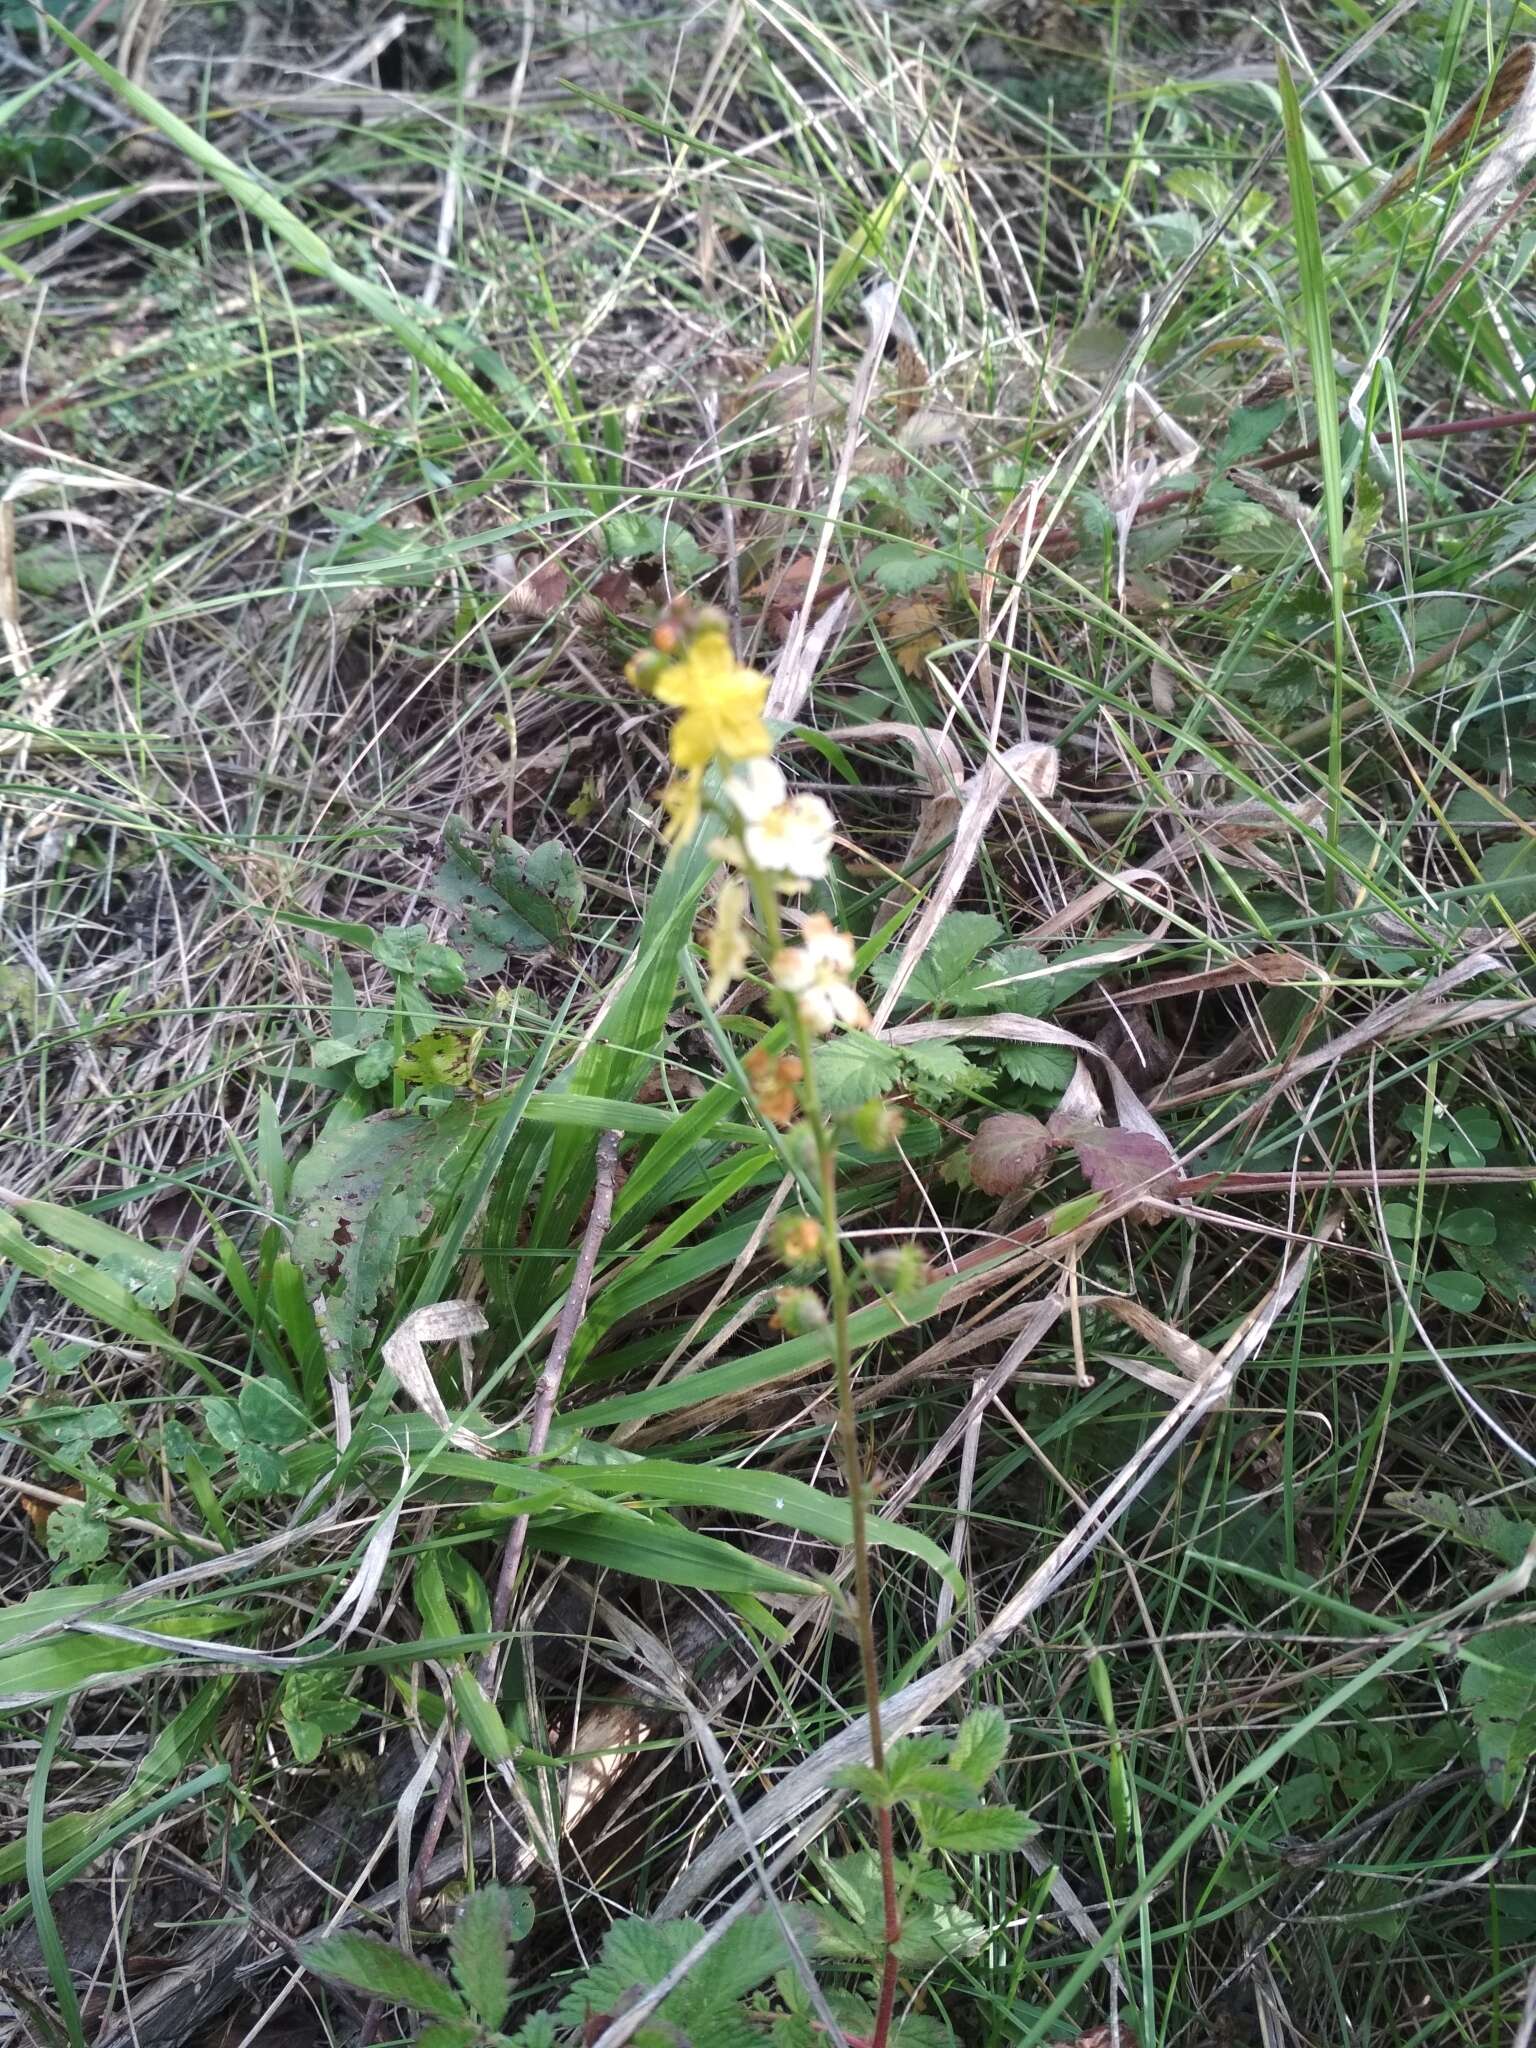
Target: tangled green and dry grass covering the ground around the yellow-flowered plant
{"type": "Point", "coordinates": [310, 382]}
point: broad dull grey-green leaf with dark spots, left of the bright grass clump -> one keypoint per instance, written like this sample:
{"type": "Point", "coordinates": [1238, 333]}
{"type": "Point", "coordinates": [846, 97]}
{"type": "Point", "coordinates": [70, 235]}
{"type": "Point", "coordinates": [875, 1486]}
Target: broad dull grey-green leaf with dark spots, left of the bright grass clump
{"type": "Point", "coordinates": [364, 1195]}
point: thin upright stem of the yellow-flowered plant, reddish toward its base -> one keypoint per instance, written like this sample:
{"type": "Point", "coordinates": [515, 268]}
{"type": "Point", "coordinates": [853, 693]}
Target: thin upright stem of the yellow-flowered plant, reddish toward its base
{"type": "Point", "coordinates": [849, 1453]}
